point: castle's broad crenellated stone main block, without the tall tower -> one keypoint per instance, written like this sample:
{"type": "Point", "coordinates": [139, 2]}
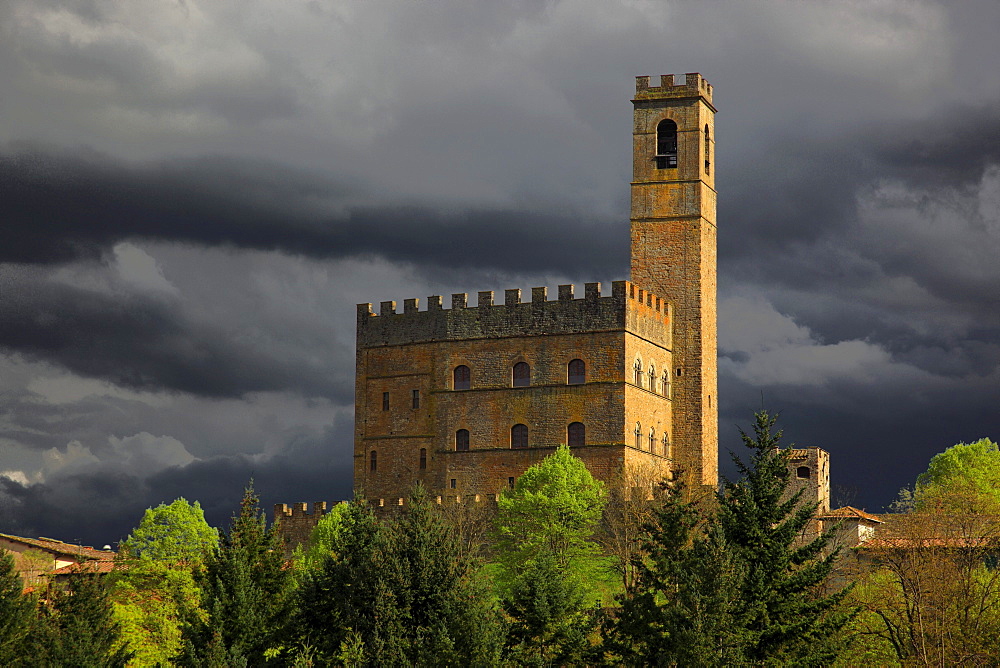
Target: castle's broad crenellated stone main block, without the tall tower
{"type": "Point", "coordinates": [408, 410]}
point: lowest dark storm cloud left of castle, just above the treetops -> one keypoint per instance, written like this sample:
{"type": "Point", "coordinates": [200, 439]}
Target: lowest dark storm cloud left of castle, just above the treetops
{"type": "Point", "coordinates": [102, 505]}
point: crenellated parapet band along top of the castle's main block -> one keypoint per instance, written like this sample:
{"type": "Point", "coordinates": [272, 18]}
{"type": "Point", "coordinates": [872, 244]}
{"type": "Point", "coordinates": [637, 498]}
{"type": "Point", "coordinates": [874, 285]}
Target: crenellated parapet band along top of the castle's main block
{"type": "Point", "coordinates": [629, 307]}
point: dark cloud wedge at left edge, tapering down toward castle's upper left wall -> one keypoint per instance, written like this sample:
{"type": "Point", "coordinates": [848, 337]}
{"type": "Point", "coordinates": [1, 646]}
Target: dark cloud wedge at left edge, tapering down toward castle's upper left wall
{"type": "Point", "coordinates": [144, 343]}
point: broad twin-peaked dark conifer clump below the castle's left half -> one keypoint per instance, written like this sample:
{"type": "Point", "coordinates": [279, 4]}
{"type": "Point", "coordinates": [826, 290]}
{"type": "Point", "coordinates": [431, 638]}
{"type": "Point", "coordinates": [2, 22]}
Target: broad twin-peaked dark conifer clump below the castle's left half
{"type": "Point", "coordinates": [398, 593]}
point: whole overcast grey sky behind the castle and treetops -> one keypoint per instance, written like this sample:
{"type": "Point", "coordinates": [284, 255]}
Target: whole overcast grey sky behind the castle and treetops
{"type": "Point", "coordinates": [194, 194]}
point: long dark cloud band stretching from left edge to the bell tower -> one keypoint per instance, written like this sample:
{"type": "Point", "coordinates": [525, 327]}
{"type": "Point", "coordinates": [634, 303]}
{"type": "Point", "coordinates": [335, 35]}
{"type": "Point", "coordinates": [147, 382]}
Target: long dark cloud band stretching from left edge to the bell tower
{"type": "Point", "coordinates": [58, 207]}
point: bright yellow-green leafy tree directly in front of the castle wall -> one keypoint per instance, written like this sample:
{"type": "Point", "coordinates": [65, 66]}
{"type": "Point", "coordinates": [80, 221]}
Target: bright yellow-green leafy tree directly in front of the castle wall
{"type": "Point", "coordinates": [552, 510]}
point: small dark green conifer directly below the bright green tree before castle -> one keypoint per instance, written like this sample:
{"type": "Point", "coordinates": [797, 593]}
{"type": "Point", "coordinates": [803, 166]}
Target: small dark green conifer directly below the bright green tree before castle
{"type": "Point", "coordinates": [549, 621]}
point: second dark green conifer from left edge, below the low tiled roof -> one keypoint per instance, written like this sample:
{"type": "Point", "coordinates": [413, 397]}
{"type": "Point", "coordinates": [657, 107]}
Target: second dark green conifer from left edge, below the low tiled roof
{"type": "Point", "coordinates": [78, 628]}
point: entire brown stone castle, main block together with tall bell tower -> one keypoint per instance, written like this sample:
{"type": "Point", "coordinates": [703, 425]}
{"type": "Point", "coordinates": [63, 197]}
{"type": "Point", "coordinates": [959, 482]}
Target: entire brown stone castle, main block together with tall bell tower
{"type": "Point", "coordinates": [464, 399]}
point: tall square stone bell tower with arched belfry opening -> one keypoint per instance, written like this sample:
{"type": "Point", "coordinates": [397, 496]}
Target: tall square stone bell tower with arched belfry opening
{"type": "Point", "coordinates": [674, 251]}
